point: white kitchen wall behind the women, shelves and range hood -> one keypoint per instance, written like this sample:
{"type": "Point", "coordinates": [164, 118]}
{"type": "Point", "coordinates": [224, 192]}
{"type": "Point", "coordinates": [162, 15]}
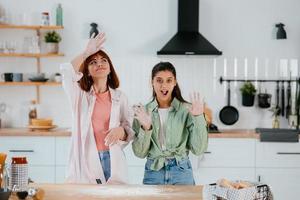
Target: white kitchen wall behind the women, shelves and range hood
{"type": "Point", "coordinates": [136, 29]}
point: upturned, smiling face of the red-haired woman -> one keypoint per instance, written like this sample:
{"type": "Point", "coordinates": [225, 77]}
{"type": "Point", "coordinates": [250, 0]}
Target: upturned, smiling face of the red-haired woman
{"type": "Point", "coordinates": [99, 67]}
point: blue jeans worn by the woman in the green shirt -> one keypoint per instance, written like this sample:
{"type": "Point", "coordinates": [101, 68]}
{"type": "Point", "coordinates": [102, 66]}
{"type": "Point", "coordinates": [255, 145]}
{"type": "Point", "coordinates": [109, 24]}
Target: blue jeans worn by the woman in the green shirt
{"type": "Point", "coordinates": [173, 173]}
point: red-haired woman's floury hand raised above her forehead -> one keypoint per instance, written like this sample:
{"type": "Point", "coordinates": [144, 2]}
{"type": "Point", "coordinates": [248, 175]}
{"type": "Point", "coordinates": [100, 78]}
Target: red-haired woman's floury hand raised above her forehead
{"type": "Point", "coordinates": [94, 44]}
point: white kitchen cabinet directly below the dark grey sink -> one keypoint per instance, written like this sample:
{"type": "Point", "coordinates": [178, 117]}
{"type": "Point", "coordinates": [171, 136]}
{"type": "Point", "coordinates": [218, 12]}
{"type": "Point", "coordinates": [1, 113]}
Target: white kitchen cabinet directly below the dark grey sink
{"type": "Point", "coordinates": [278, 165]}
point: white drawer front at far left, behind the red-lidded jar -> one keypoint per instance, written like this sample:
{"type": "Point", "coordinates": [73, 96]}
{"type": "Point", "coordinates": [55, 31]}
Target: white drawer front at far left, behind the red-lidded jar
{"type": "Point", "coordinates": [38, 150]}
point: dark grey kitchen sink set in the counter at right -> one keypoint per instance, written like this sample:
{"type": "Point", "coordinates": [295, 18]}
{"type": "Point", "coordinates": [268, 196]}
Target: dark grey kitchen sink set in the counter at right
{"type": "Point", "coordinates": [278, 135]}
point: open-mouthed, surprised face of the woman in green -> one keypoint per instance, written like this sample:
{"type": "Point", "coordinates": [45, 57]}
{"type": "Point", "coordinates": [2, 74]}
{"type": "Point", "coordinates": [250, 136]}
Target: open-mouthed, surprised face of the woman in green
{"type": "Point", "coordinates": [163, 84]}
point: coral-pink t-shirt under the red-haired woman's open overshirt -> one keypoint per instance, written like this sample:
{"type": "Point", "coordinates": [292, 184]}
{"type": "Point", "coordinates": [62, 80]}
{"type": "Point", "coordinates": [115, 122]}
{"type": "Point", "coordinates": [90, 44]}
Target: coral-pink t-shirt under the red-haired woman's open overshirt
{"type": "Point", "coordinates": [100, 119]}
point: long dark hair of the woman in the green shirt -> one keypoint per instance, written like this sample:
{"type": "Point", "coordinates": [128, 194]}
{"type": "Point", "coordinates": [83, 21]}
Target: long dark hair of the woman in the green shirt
{"type": "Point", "coordinates": [167, 66]}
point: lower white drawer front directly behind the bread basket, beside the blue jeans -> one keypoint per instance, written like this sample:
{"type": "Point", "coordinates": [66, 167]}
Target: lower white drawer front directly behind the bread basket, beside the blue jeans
{"type": "Point", "coordinates": [211, 175]}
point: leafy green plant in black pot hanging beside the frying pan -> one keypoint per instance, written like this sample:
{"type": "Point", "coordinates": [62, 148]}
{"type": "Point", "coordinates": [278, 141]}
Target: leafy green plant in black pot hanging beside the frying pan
{"type": "Point", "coordinates": [248, 94]}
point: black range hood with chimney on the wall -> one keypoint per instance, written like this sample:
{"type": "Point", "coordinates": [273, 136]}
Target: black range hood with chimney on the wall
{"type": "Point", "coordinates": [188, 40]}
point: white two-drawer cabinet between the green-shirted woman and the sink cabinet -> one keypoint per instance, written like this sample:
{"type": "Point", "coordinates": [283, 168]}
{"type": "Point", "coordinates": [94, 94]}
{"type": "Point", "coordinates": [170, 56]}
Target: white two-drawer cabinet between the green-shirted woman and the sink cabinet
{"type": "Point", "coordinates": [233, 159]}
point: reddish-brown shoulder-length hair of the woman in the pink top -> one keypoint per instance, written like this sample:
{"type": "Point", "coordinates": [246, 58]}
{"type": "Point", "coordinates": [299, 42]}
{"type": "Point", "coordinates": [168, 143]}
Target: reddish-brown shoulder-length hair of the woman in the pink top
{"type": "Point", "coordinates": [86, 81]}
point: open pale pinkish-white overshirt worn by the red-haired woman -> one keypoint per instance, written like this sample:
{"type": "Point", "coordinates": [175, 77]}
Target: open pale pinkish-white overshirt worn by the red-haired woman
{"type": "Point", "coordinates": [84, 165]}
